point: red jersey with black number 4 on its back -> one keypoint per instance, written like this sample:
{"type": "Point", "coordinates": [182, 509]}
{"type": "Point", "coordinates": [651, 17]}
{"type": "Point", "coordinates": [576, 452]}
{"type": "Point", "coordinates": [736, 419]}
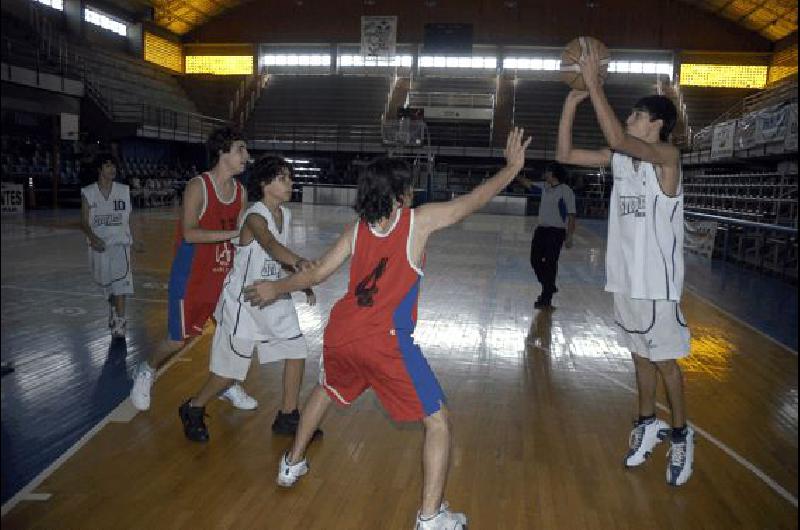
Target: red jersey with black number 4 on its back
{"type": "Point", "coordinates": [384, 284]}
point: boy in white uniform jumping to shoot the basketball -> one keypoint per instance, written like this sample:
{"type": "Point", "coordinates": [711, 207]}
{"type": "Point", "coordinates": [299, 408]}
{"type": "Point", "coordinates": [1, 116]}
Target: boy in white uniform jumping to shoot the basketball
{"type": "Point", "coordinates": [644, 257]}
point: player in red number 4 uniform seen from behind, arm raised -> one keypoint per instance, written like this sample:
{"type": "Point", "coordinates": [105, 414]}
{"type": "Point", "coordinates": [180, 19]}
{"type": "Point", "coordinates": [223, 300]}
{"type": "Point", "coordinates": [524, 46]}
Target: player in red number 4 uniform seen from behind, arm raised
{"type": "Point", "coordinates": [368, 341]}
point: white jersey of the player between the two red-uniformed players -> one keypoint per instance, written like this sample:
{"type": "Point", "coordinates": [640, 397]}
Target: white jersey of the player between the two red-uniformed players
{"type": "Point", "coordinates": [251, 262]}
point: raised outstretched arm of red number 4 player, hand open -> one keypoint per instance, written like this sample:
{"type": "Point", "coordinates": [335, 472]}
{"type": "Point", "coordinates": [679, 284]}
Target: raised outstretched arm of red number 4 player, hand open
{"type": "Point", "coordinates": [434, 216]}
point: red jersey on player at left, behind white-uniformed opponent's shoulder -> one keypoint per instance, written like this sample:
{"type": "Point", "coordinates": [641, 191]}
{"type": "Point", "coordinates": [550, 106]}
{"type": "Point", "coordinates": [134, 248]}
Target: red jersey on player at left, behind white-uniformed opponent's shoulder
{"type": "Point", "coordinates": [205, 265]}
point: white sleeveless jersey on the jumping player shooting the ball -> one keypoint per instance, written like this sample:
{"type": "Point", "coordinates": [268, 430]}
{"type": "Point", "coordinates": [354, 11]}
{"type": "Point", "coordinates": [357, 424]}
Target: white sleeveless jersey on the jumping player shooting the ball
{"type": "Point", "coordinates": [644, 257]}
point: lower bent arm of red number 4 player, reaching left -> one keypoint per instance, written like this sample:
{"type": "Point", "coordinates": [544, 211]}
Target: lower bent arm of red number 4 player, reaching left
{"type": "Point", "coordinates": [263, 292]}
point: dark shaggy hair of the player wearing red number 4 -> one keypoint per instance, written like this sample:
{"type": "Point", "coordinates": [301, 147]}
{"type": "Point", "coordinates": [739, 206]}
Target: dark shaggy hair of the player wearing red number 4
{"type": "Point", "coordinates": [380, 184]}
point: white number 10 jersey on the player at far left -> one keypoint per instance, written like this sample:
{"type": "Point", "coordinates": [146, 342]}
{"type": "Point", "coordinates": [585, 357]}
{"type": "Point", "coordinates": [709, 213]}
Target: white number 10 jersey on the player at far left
{"type": "Point", "coordinates": [109, 217]}
